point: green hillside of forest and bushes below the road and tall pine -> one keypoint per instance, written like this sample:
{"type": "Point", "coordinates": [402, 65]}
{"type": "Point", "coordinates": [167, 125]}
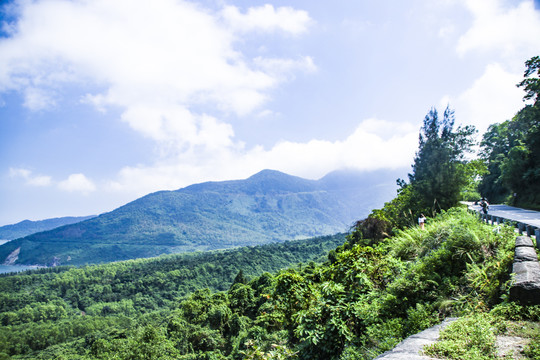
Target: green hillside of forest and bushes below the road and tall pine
{"type": "Point", "coordinates": [359, 303]}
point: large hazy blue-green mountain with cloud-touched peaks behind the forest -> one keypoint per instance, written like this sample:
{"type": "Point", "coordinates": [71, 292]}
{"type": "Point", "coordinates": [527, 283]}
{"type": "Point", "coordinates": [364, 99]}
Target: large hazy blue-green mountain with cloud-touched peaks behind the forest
{"type": "Point", "coordinates": [267, 207]}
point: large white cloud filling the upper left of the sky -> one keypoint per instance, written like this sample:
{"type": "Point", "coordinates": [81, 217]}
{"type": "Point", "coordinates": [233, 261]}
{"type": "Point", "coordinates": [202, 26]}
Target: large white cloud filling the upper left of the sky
{"type": "Point", "coordinates": [158, 61]}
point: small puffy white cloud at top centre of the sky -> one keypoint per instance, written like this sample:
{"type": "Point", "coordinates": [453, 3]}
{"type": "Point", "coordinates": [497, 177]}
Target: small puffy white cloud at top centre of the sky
{"type": "Point", "coordinates": [268, 19]}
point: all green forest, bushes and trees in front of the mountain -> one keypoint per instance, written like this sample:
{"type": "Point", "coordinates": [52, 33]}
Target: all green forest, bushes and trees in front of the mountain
{"type": "Point", "coordinates": [342, 297]}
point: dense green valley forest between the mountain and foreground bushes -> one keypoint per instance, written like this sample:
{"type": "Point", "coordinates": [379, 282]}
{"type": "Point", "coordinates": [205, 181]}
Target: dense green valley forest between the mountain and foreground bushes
{"type": "Point", "coordinates": [53, 306]}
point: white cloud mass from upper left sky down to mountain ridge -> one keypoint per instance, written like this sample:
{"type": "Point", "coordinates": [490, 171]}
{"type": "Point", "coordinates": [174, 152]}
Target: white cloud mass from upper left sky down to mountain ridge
{"type": "Point", "coordinates": [160, 64]}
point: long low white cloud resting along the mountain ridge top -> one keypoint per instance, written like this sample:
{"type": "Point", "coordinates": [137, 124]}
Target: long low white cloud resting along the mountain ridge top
{"type": "Point", "coordinates": [369, 147]}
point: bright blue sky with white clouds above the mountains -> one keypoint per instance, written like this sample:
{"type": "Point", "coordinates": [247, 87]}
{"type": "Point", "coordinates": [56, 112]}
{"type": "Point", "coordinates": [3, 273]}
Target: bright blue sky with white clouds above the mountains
{"type": "Point", "coordinates": [104, 101]}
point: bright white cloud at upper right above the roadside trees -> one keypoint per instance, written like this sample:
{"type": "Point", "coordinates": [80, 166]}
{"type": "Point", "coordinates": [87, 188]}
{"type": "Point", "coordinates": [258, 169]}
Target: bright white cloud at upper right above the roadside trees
{"type": "Point", "coordinates": [508, 34]}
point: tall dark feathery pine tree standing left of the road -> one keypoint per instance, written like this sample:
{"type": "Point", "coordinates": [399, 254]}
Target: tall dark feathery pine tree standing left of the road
{"type": "Point", "coordinates": [440, 174]}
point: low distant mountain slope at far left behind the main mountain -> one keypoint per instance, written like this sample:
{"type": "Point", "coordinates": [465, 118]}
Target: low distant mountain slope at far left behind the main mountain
{"type": "Point", "coordinates": [27, 227]}
